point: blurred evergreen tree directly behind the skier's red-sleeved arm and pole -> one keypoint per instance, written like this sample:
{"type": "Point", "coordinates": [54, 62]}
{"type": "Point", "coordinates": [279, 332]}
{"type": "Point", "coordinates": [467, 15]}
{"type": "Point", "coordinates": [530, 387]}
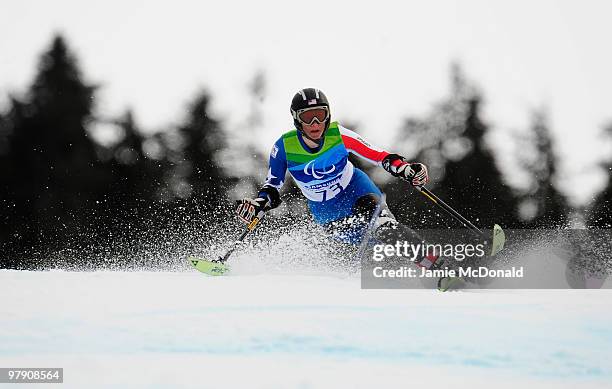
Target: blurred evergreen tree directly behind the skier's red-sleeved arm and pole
{"type": "Point", "coordinates": [451, 141]}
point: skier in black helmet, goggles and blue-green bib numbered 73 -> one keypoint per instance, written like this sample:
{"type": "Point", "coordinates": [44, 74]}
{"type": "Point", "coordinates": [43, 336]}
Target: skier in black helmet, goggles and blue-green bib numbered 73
{"type": "Point", "coordinates": [340, 196]}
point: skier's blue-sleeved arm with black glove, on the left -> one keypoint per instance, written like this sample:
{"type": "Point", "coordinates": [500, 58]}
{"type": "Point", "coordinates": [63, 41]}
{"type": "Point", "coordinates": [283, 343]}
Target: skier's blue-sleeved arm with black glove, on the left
{"type": "Point", "coordinates": [269, 194]}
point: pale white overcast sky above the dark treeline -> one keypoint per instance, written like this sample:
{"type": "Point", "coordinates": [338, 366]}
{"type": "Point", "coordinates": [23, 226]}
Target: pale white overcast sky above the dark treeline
{"type": "Point", "coordinates": [377, 61]}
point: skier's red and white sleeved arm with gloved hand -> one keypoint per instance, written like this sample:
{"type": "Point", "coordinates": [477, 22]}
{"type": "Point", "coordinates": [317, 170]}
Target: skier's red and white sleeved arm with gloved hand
{"type": "Point", "coordinates": [395, 164]}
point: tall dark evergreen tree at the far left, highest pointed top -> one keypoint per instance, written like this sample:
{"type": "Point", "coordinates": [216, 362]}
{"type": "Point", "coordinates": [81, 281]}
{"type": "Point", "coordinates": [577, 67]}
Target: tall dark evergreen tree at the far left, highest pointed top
{"type": "Point", "coordinates": [52, 170]}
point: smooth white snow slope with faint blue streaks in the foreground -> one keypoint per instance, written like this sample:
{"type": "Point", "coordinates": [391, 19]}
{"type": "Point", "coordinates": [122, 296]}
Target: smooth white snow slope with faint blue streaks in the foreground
{"type": "Point", "coordinates": [186, 330]}
